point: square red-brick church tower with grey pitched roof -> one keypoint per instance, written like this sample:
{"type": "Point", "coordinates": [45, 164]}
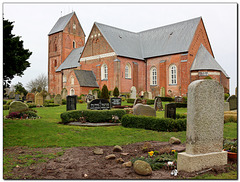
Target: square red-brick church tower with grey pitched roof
{"type": "Point", "coordinates": [66, 35]}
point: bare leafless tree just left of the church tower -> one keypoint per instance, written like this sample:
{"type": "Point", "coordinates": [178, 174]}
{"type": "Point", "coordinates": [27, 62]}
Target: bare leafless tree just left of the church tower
{"type": "Point", "coordinates": [38, 84]}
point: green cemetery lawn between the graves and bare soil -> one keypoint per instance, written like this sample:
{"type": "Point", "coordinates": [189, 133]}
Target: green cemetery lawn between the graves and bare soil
{"type": "Point", "coordinates": [47, 133]}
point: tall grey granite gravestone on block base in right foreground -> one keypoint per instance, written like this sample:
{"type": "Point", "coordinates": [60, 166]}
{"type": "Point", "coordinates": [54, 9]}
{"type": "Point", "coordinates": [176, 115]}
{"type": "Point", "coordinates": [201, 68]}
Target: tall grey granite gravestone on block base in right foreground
{"type": "Point", "coordinates": [205, 123]}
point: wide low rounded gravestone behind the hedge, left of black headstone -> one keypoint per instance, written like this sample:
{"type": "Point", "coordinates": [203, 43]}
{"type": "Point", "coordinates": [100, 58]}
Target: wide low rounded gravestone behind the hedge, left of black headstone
{"type": "Point", "coordinates": [144, 110]}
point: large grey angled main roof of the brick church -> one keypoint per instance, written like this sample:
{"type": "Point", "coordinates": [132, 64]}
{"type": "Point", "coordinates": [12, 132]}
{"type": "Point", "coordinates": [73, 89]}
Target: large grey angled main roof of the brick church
{"type": "Point", "coordinates": [170, 39]}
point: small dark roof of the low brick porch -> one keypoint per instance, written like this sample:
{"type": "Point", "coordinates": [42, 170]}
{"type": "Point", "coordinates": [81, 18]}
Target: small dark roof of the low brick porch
{"type": "Point", "coordinates": [86, 78]}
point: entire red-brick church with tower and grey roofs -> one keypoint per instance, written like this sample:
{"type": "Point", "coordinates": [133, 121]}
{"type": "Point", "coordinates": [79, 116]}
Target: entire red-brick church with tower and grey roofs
{"type": "Point", "coordinates": [163, 60]}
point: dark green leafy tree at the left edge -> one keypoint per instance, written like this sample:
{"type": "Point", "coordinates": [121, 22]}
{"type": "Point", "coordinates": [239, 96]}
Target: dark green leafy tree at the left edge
{"type": "Point", "coordinates": [14, 55]}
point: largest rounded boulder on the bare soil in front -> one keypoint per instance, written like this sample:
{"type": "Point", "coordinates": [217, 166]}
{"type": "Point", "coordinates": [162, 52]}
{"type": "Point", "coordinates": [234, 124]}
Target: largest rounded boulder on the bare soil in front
{"type": "Point", "coordinates": [142, 168]}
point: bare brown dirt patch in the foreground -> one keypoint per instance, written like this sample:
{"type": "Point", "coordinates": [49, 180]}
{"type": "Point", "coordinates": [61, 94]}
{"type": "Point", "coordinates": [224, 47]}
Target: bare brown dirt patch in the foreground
{"type": "Point", "coordinates": [82, 163]}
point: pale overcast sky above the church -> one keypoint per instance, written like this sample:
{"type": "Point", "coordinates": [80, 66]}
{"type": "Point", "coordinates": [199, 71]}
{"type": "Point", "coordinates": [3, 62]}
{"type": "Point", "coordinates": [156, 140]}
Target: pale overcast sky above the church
{"type": "Point", "coordinates": [34, 21]}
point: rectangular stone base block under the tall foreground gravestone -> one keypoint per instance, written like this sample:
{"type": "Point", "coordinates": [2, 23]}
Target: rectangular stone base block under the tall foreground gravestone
{"type": "Point", "coordinates": [190, 163]}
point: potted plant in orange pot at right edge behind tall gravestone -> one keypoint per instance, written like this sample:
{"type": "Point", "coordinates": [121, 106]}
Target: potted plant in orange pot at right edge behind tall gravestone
{"type": "Point", "coordinates": [231, 148]}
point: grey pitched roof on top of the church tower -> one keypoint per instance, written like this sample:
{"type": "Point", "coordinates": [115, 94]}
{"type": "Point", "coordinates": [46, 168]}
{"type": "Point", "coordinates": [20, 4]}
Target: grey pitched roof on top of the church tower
{"type": "Point", "coordinates": [61, 23]}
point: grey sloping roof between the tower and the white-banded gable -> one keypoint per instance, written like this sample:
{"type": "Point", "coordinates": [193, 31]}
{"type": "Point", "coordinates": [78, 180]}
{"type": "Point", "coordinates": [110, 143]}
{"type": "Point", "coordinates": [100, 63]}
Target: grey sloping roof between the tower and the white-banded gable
{"type": "Point", "coordinates": [72, 60]}
